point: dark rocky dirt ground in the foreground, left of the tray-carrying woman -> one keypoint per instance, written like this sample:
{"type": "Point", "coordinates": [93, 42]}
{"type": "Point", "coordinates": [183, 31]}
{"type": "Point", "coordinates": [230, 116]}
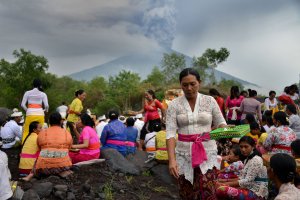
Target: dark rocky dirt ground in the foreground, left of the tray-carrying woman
{"type": "Point", "coordinates": [104, 184]}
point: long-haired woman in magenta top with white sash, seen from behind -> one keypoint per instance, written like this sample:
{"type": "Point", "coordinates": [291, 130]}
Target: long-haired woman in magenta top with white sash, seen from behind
{"type": "Point", "coordinates": [232, 104]}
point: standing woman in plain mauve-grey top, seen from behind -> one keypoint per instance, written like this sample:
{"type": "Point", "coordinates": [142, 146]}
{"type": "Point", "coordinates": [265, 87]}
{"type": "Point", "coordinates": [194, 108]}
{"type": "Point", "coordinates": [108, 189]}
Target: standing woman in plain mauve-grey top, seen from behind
{"type": "Point", "coordinates": [251, 106]}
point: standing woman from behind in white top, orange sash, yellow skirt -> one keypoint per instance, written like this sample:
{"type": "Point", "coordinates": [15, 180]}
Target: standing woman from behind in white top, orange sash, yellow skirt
{"type": "Point", "coordinates": [33, 102]}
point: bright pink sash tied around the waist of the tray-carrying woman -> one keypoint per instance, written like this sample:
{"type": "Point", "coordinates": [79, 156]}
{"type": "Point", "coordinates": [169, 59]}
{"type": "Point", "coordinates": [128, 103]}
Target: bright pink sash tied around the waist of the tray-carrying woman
{"type": "Point", "coordinates": [198, 151]}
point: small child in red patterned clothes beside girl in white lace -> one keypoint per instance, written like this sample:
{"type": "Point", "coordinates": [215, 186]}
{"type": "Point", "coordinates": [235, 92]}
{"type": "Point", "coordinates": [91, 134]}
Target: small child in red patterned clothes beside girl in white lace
{"type": "Point", "coordinates": [231, 171]}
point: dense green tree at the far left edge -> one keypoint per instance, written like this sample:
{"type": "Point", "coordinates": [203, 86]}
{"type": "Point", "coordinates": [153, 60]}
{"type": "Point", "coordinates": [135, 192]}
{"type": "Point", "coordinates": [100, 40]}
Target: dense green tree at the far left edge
{"type": "Point", "coordinates": [17, 77]}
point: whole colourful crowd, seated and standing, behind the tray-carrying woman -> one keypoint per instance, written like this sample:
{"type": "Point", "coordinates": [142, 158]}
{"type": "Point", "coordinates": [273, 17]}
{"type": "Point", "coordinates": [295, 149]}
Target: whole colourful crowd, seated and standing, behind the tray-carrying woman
{"type": "Point", "coordinates": [74, 136]}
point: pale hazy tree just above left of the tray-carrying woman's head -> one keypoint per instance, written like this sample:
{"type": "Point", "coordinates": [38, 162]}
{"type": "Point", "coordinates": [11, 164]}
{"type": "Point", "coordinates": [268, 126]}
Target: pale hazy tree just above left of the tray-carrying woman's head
{"type": "Point", "coordinates": [172, 65]}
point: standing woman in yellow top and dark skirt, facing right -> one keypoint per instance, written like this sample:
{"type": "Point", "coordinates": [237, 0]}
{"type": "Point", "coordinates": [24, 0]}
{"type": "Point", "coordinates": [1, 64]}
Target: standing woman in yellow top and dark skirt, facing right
{"type": "Point", "coordinates": [75, 111]}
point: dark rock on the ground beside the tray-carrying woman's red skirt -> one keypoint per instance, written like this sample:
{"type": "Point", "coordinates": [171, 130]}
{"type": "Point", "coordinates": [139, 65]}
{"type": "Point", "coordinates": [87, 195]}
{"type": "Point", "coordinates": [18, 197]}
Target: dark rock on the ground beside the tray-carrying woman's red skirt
{"type": "Point", "coordinates": [161, 171]}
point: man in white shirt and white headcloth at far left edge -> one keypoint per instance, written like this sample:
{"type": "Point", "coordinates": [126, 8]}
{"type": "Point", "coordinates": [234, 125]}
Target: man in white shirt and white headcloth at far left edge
{"type": "Point", "coordinates": [11, 132]}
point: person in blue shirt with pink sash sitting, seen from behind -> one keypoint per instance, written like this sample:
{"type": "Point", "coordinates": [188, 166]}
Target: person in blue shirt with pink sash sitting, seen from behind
{"type": "Point", "coordinates": [114, 135]}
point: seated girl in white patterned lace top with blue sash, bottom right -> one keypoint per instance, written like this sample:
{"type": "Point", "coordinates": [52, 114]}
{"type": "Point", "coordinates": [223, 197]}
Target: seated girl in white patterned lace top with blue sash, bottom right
{"type": "Point", "coordinates": [252, 182]}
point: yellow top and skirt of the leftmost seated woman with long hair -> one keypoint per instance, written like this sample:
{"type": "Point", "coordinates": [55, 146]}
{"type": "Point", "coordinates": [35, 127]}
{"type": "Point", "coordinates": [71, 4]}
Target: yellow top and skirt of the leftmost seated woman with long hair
{"type": "Point", "coordinates": [30, 147]}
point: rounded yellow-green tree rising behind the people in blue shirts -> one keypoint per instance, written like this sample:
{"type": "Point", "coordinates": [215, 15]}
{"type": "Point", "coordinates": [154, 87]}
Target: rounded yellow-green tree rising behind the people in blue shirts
{"type": "Point", "coordinates": [123, 88]}
